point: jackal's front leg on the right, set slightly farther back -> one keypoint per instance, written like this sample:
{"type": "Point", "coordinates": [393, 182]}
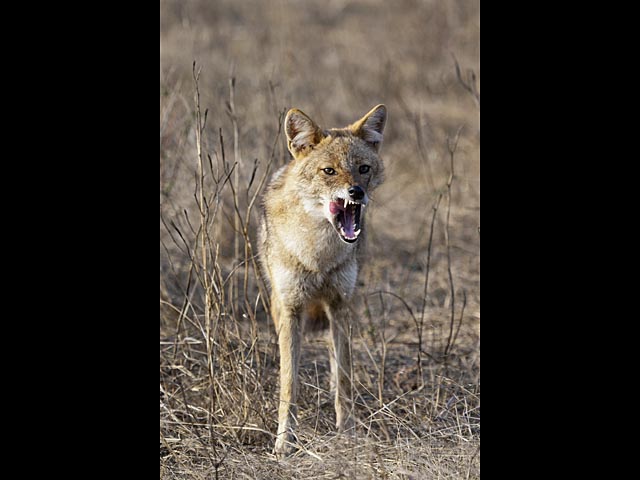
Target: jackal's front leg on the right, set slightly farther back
{"type": "Point", "coordinates": [339, 315]}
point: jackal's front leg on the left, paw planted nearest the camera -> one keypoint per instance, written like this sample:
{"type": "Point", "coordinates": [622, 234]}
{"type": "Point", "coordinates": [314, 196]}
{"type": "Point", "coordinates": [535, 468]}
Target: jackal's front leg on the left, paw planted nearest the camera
{"type": "Point", "coordinates": [288, 327]}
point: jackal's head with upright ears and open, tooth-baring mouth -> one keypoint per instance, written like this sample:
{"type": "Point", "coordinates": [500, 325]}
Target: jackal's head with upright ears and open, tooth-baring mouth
{"type": "Point", "coordinates": [336, 169]}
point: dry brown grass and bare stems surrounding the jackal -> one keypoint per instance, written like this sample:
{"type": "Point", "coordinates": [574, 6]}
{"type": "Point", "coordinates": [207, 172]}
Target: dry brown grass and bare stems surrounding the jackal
{"type": "Point", "coordinates": [415, 346]}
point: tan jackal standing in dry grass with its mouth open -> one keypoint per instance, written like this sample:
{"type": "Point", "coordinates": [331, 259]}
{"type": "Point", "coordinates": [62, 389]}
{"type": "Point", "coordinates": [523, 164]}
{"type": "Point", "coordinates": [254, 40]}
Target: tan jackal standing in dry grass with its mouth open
{"type": "Point", "coordinates": [312, 228]}
